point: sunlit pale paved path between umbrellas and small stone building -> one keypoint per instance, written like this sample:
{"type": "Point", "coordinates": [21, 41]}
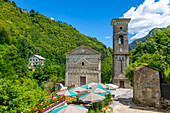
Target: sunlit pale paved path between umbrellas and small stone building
{"type": "Point", "coordinates": [122, 103]}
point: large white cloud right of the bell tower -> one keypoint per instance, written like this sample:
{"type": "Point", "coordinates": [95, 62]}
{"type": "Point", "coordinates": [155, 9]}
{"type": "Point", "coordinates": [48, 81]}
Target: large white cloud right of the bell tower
{"type": "Point", "coordinates": [147, 16]}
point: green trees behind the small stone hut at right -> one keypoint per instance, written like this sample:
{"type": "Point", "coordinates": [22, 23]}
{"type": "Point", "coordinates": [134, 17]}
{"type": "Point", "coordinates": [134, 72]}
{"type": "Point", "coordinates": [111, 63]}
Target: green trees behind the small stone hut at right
{"type": "Point", "coordinates": [154, 52]}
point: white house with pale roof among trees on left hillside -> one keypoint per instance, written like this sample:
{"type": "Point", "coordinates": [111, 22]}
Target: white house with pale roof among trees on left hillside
{"type": "Point", "coordinates": [36, 60]}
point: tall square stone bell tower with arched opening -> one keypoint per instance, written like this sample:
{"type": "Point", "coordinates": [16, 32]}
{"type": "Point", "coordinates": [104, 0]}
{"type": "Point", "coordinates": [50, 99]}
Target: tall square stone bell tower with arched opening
{"type": "Point", "coordinates": [120, 52]}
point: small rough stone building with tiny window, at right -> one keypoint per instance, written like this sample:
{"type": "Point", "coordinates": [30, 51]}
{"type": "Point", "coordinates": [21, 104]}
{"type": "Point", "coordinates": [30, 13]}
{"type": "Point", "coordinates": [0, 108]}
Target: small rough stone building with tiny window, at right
{"type": "Point", "coordinates": [146, 88]}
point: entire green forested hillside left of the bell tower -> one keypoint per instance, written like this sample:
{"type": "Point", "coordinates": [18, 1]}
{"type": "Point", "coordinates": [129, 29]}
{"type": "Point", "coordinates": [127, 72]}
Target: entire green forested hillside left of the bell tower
{"type": "Point", "coordinates": [23, 34]}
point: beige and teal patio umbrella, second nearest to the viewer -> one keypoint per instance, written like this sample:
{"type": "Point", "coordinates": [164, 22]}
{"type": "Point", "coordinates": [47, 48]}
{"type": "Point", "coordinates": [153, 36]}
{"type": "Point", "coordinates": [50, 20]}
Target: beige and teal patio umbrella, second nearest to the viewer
{"type": "Point", "coordinates": [92, 97]}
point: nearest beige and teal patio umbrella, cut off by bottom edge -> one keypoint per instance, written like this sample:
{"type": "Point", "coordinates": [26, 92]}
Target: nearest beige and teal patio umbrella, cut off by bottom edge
{"type": "Point", "coordinates": [71, 109]}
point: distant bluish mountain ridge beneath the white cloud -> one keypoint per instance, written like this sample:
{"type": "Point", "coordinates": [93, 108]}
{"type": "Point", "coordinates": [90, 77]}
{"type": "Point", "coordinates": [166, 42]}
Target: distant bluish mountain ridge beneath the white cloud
{"type": "Point", "coordinates": [134, 44]}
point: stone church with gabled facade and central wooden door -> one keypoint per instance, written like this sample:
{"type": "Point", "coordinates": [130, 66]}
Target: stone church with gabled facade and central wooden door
{"type": "Point", "coordinates": [83, 65]}
